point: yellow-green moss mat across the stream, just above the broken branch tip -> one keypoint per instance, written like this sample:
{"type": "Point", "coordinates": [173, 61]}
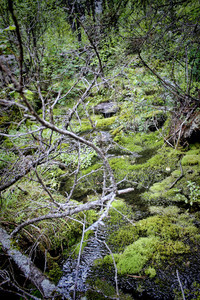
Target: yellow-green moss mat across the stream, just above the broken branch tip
{"type": "Point", "coordinates": [150, 167]}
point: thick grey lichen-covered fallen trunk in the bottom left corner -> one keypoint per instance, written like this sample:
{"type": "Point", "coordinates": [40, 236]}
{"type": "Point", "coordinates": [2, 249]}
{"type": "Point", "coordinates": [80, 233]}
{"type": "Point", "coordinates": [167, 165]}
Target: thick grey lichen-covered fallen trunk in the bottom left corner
{"type": "Point", "coordinates": [30, 271]}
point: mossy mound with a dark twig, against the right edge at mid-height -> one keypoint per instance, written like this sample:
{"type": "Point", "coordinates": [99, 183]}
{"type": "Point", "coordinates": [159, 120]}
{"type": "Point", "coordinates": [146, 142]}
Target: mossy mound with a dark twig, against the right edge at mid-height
{"type": "Point", "coordinates": [179, 186]}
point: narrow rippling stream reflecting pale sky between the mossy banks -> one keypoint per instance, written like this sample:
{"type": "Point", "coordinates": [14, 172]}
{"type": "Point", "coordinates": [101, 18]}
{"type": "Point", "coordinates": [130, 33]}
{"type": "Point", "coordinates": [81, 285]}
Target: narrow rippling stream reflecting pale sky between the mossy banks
{"type": "Point", "coordinates": [75, 278]}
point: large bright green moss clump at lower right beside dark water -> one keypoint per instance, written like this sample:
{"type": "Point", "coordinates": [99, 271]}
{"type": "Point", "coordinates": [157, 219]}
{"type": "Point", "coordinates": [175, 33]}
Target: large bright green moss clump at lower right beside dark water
{"type": "Point", "coordinates": [159, 237]}
